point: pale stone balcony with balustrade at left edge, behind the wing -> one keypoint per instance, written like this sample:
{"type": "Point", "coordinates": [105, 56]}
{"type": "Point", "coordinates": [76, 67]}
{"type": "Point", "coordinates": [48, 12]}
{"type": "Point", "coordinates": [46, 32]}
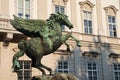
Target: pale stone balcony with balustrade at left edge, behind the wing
{"type": "Point", "coordinates": [7, 31]}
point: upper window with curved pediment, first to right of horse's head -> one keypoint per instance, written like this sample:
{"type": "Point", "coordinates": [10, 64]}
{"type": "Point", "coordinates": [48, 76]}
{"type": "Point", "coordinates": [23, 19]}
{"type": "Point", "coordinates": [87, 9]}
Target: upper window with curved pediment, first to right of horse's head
{"type": "Point", "coordinates": [87, 8]}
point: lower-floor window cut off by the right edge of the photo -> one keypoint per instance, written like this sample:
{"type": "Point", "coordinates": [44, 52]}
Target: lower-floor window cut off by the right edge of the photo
{"type": "Point", "coordinates": [116, 71]}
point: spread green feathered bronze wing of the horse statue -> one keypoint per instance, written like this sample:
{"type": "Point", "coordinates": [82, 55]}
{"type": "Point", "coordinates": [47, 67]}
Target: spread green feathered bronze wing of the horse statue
{"type": "Point", "coordinates": [29, 27]}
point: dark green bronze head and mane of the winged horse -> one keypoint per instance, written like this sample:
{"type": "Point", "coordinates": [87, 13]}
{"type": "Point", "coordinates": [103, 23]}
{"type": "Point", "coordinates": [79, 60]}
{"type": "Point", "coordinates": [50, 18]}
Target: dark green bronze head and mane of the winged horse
{"type": "Point", "coordinates": [61, 19]}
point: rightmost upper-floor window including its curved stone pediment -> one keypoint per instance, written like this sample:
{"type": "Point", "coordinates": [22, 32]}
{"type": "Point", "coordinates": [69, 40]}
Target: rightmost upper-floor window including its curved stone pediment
{"type": "Point", "coordinates": [111, 20]}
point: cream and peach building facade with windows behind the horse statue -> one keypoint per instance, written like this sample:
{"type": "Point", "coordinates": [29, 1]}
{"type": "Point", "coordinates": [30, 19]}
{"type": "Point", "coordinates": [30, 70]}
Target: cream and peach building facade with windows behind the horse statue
{"type": "Point", "coordinates": [96, 25]}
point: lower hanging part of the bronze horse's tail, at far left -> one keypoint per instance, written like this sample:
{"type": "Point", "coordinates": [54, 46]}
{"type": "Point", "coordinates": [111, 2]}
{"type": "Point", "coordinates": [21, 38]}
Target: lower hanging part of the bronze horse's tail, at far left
{"type": "Point", "coordinates": [16, 65]}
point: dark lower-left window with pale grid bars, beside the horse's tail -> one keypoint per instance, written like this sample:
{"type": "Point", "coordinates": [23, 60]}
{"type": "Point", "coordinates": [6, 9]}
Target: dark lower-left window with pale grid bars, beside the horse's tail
{"type": "Point", "coordinates": [25, 70]}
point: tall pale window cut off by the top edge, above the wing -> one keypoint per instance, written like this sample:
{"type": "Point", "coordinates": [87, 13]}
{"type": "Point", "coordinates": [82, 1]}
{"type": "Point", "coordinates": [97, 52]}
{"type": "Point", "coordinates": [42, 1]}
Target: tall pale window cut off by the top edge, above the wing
{"type": "Point", "coordinates": [24, 8]}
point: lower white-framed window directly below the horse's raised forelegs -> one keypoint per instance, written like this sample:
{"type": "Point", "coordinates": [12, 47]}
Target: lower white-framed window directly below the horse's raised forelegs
{"type": "Point", "coordinates": [63, 67]}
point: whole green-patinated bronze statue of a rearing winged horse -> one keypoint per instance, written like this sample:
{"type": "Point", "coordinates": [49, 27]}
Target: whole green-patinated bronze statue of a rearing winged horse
{"type": "Point", "coordinates": [46, 37]}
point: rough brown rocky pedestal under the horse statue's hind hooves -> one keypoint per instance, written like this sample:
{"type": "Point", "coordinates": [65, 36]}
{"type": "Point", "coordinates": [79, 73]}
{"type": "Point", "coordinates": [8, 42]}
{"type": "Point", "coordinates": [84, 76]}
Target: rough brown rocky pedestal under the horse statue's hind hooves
{"type": "Point", "coordinates": [55, 77]}
